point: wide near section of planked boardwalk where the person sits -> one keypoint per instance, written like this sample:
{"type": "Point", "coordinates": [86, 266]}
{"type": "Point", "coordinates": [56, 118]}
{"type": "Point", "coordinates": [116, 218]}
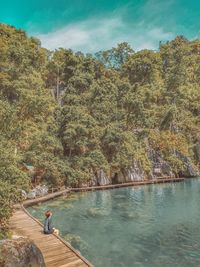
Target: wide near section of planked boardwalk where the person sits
{"type": "Point", "coordinates": [56, 252]}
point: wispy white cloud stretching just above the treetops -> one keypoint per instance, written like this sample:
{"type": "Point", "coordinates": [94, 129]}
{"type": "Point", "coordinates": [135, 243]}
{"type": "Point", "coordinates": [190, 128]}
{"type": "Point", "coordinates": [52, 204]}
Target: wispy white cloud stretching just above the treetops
{"type": "Point", "coordinates": [93, 35]}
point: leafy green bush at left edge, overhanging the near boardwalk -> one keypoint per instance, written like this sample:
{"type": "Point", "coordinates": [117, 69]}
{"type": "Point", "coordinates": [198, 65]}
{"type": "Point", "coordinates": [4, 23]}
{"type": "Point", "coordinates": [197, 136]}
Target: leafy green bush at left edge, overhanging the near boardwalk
{"type": "Point", "coordinates": [12, 181]}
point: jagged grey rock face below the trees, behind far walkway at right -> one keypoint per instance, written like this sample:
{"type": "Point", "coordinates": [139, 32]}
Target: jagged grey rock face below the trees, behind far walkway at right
{"type": "Point", "coordinates": [160, 168]}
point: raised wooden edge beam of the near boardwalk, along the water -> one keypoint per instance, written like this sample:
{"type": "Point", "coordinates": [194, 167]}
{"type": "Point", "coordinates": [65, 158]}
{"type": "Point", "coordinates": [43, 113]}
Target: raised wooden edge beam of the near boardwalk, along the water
{"type": "Point", "coordinates": [78, 254]}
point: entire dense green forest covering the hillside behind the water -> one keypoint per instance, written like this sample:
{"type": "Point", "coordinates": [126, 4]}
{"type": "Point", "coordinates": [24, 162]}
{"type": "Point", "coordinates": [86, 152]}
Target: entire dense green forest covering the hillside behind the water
{"type": "Point", "coordinates": [77, 117]}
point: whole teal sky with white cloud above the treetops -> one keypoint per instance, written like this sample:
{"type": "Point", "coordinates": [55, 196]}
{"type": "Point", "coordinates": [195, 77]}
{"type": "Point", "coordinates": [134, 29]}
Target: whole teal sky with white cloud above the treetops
{"type": "Point", "coordinates": [93, 25]}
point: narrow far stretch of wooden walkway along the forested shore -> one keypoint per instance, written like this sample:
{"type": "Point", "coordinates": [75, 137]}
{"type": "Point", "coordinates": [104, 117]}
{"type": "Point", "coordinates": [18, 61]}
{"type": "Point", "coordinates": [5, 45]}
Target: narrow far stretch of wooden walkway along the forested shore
{"type": "Point", "coordinates": [50, 196]}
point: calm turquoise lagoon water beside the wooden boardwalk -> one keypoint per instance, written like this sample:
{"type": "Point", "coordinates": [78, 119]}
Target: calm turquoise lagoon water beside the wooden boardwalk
{"type": "Point", "coordinates": [146, 226]}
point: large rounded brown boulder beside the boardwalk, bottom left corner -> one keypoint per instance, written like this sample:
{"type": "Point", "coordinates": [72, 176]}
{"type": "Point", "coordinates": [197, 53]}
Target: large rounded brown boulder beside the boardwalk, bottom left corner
{"type": "Point", "coordinates": [20, 252]}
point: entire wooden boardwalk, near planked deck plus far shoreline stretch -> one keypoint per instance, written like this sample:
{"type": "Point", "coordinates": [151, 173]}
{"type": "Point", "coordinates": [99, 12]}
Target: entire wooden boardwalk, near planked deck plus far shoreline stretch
{"type": "Point", "coordinates": [56, 252]}
